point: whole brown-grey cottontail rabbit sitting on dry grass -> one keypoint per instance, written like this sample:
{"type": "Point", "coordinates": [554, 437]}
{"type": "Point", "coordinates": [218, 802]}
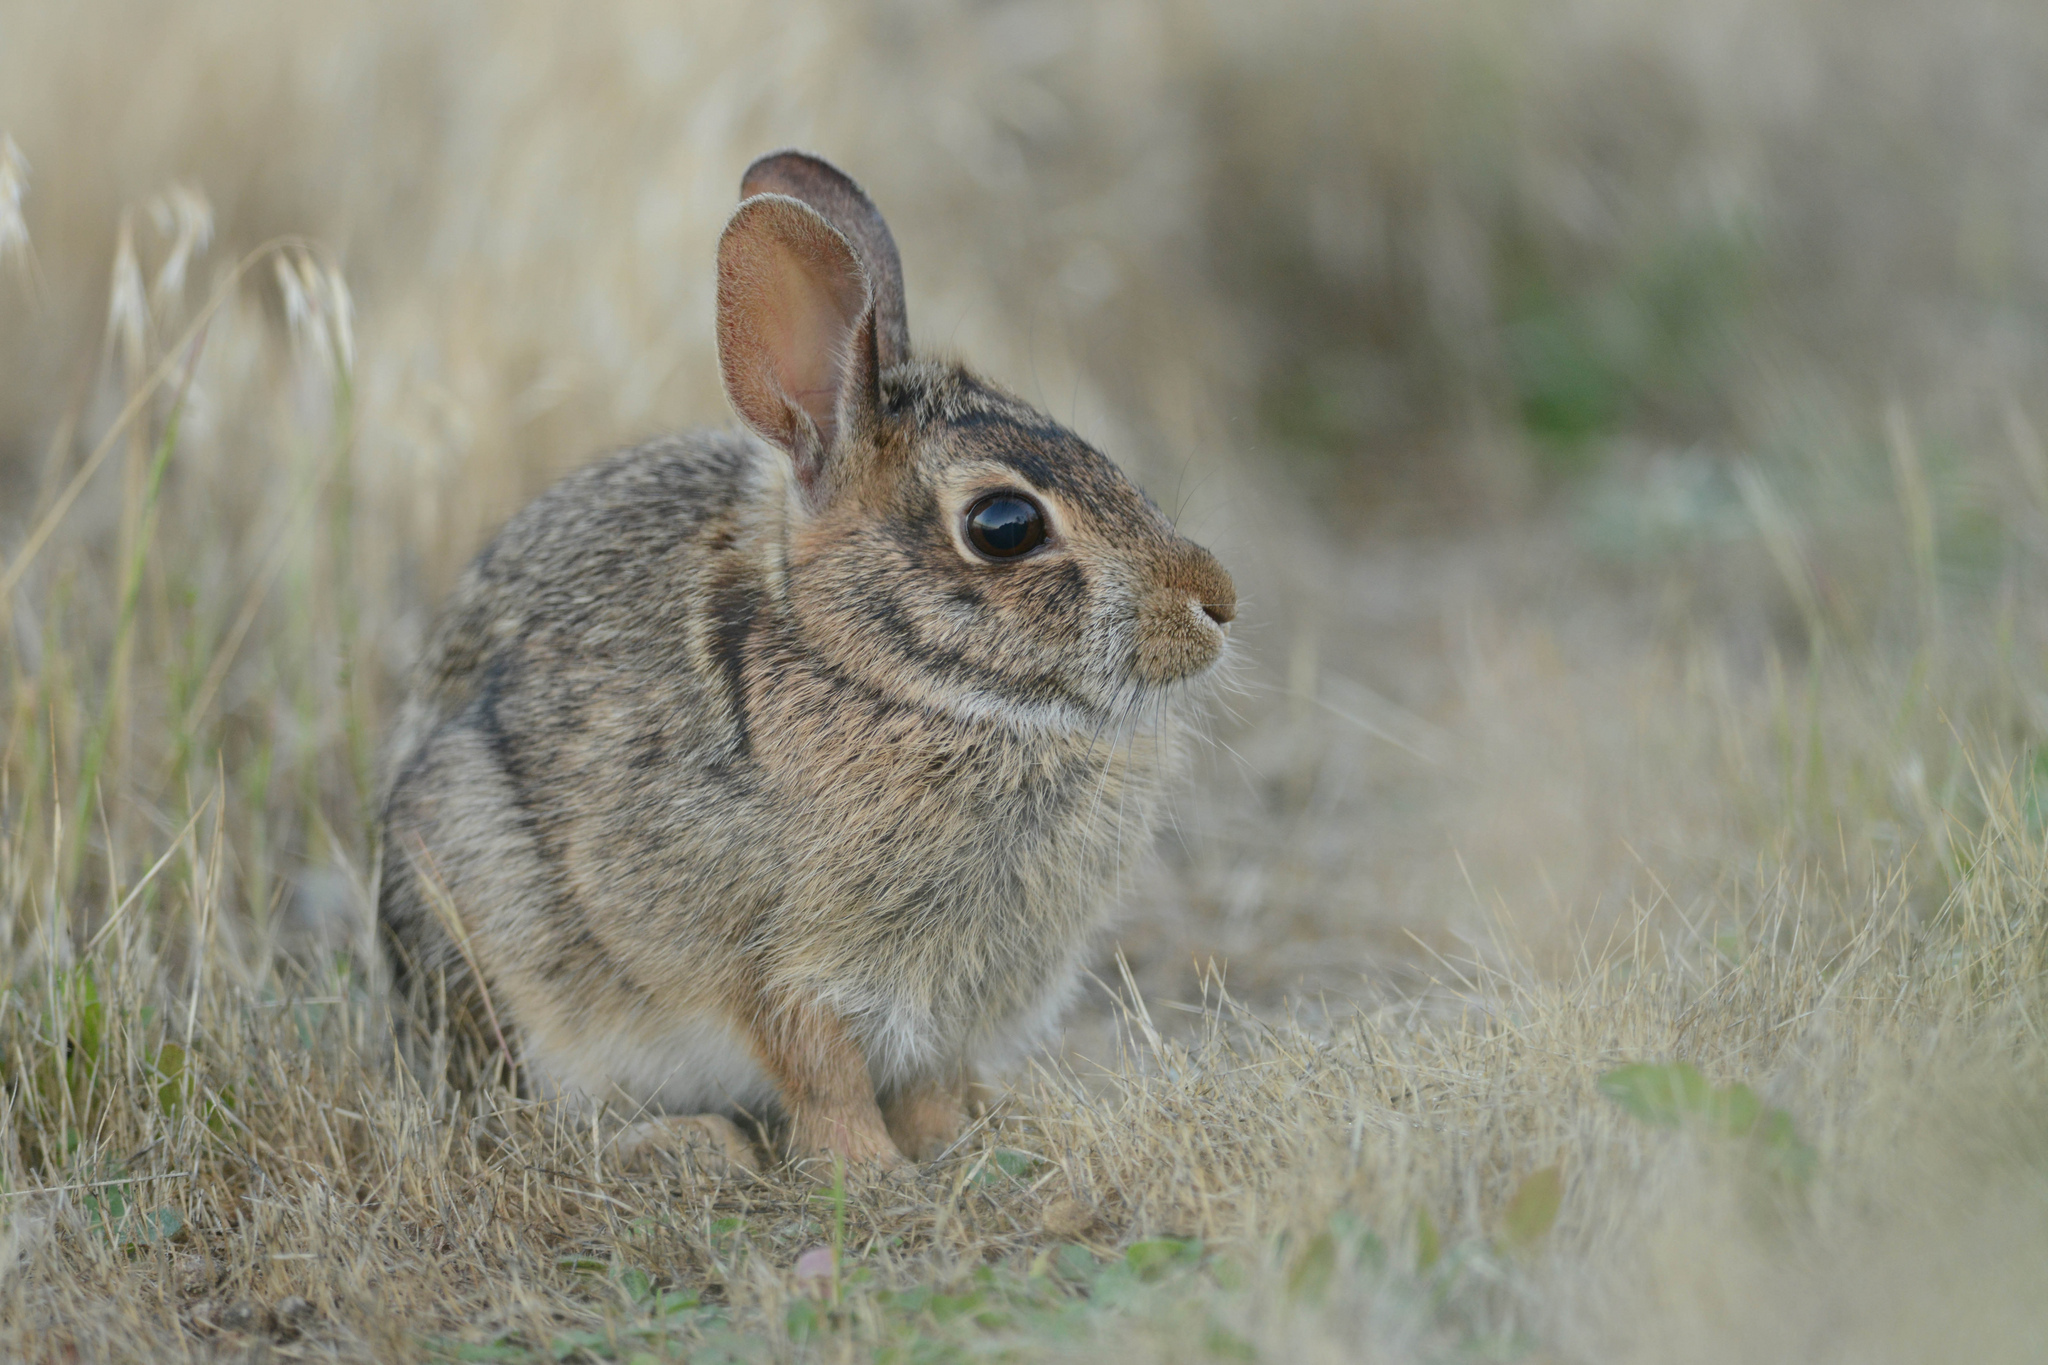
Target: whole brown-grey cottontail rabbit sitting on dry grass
{"type": "Point", "coordinates": [790, 773]}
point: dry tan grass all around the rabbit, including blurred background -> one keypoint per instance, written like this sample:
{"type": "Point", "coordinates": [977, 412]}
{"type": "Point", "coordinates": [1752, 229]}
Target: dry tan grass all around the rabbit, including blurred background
{"type": "Point", "coordinates": [1617, 414]}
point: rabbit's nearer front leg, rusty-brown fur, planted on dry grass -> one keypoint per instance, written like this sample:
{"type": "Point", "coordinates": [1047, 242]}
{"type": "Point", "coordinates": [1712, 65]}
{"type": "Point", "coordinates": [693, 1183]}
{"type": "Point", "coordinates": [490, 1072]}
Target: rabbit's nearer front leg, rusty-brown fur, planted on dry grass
{"type": "Point", "coordinates": [826, 1090]}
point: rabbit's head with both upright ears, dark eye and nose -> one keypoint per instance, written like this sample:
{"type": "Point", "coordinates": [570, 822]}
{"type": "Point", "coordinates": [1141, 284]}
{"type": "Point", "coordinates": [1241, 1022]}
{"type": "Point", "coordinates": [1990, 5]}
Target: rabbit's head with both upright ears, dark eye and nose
{"type": "Point", "coordinates": [947, 545]}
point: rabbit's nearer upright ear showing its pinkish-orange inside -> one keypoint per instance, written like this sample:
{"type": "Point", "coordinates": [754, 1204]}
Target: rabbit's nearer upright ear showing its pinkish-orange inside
{"type": "Point", "coordinates": [796, 331]}
